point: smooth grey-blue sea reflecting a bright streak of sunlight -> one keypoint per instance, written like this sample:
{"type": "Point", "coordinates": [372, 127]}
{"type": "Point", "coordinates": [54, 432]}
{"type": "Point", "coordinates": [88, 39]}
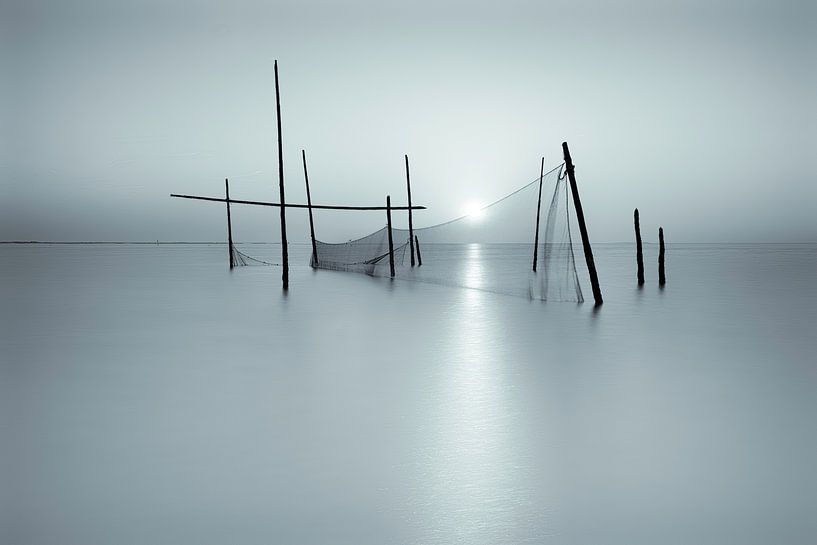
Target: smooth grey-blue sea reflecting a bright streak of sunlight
{"type": "Point", "coordinates": [150, 395]}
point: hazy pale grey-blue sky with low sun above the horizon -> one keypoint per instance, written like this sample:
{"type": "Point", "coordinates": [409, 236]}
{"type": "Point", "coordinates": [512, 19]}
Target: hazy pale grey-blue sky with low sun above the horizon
{"type": "Point", "coordinates": [700, 113]}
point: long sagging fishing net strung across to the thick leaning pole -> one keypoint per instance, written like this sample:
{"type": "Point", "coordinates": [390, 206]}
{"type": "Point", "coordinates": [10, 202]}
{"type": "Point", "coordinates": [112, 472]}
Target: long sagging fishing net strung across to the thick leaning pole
{"type": "Point", "coordinates": [489, 249]}
